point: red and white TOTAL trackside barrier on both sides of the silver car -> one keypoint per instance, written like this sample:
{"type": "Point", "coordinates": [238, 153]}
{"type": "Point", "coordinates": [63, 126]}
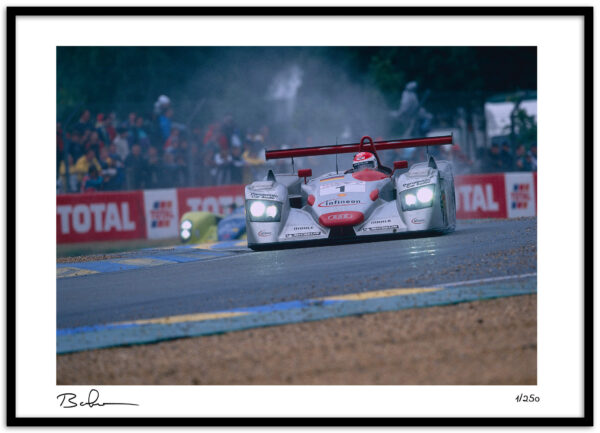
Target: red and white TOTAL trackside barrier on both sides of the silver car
{"type": "Point", "coordinates": [155, 214]}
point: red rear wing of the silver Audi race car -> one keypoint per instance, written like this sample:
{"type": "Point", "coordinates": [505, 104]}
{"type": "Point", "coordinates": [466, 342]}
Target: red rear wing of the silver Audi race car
{"type": "Point", "coordinates": [357, 147]}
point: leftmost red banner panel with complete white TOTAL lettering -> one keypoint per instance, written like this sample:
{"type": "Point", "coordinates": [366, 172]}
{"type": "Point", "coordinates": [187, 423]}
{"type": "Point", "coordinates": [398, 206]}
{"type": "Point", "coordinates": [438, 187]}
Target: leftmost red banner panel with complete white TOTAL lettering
{"type": "Point", "coordinates": [100, 217]}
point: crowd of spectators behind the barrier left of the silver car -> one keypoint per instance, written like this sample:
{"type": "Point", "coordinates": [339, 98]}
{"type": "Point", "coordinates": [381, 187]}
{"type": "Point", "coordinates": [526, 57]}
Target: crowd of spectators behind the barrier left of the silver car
{"type": "Point", "coordinates": [108, 154]}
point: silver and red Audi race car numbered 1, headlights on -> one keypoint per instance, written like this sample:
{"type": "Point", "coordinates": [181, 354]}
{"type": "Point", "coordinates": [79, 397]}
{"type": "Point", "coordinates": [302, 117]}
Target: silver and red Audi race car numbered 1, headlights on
{"type": "Point", "coordinates": [368, 200]}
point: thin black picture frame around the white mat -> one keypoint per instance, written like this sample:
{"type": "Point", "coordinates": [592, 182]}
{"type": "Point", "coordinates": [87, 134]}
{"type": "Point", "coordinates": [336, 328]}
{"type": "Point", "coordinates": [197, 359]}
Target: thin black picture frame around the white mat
{"type": "Point", "coordinates": [14, 12]}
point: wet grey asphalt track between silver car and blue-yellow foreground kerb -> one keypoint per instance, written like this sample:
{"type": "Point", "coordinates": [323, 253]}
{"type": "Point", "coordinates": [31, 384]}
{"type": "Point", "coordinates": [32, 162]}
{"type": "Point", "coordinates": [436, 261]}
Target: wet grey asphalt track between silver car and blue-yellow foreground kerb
{"type": "Point", "coordinates": [478, 249]}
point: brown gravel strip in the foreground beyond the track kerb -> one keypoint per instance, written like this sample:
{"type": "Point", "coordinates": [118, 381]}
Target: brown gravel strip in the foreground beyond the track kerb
{"type": "Point", "coordinates": [490, 342]}
